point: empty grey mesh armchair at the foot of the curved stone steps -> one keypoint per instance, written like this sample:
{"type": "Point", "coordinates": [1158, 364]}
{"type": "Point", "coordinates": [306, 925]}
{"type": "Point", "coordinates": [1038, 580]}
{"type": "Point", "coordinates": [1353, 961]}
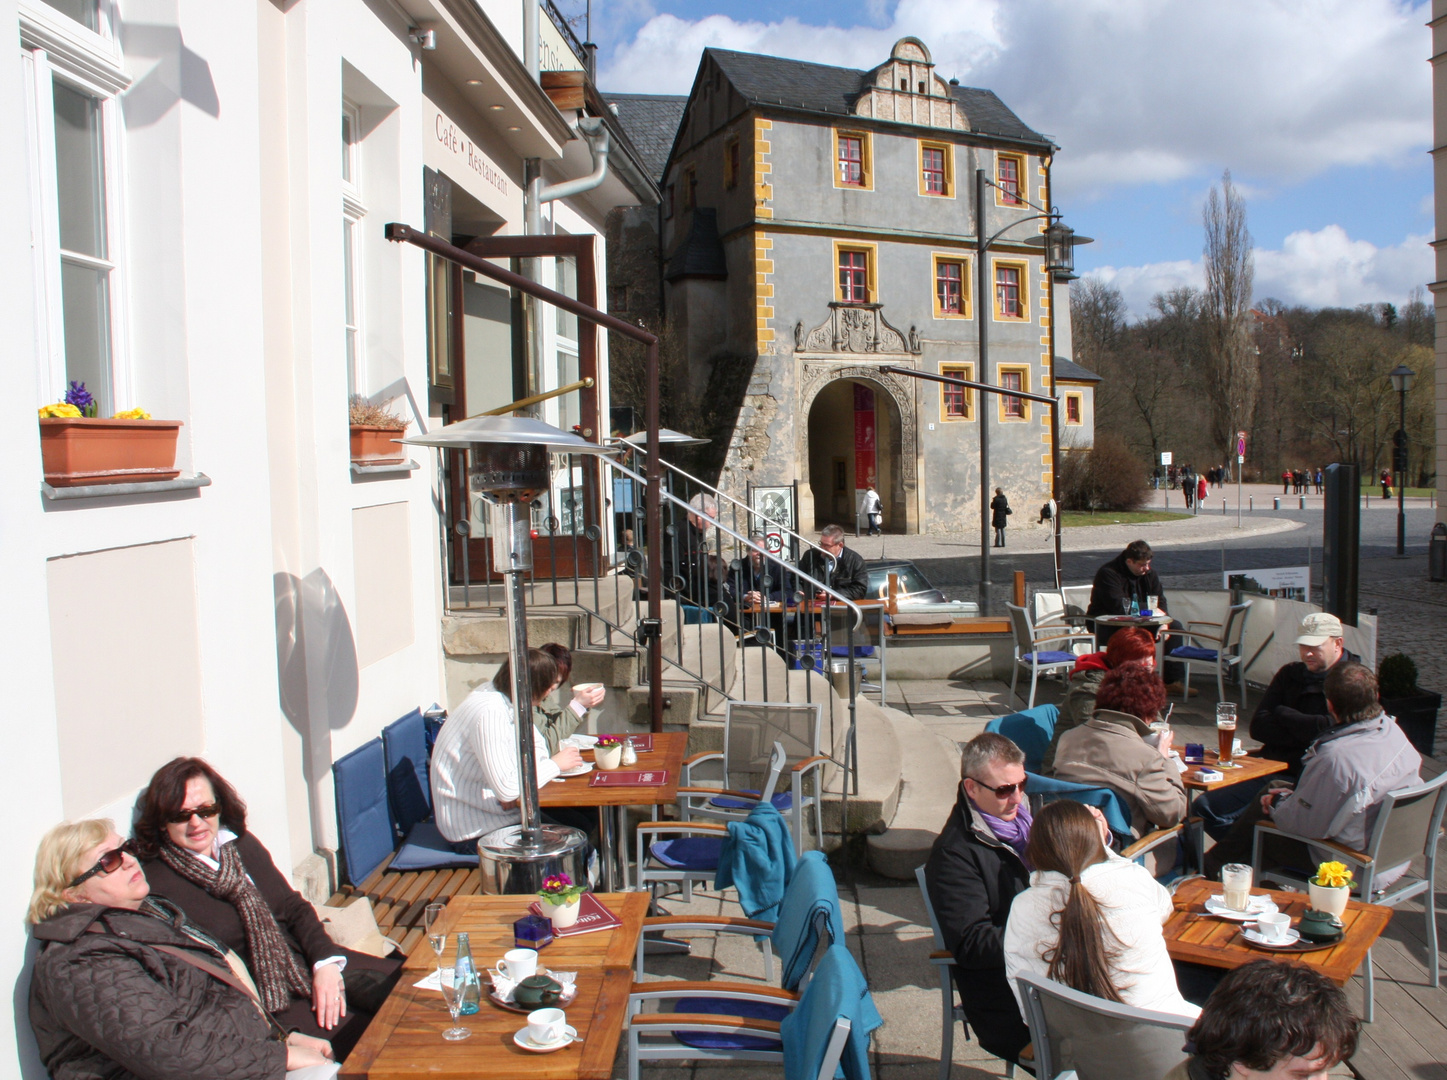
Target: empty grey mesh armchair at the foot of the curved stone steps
{"type": "Point", "coordinates": [750, 730]}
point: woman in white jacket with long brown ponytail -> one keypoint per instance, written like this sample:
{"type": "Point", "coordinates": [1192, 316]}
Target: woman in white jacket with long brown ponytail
{"type": "Point", "coordinates": [1090, 919]}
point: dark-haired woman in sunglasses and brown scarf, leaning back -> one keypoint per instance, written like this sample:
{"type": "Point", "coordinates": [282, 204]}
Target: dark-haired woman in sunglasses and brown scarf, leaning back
{"type": "Point", "coordinates": [193, 840]}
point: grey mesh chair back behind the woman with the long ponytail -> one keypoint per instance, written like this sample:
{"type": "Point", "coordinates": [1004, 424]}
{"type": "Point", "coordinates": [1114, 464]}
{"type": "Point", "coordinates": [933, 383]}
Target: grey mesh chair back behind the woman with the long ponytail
{"type": "Point", "coordinates": [1099, 1040]}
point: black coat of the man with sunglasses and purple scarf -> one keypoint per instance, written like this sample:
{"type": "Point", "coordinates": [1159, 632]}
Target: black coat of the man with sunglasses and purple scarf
{"type": "Point", "coordinates": [973, 878]}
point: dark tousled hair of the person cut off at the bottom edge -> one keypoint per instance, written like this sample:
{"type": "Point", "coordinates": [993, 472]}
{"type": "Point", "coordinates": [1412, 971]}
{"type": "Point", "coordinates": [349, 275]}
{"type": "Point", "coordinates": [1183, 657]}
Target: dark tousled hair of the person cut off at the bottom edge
{"type": "Point", "coordinates": [1270, 1021]}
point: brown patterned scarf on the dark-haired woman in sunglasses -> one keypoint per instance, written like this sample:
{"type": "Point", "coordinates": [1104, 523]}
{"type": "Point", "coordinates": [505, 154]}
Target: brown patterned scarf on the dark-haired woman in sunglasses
{"type": "Point", "coordinates": [277, 972]}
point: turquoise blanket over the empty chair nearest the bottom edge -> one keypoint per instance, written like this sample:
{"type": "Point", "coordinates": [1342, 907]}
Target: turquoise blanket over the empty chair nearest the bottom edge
{"type": "Point", "coordinates": [836, 991]}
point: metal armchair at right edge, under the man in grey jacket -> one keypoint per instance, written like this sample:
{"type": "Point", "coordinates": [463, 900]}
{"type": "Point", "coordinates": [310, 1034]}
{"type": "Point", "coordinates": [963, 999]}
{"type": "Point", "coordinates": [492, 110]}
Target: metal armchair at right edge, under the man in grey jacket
{"type": "Point", "coordinates": [1409, 824]}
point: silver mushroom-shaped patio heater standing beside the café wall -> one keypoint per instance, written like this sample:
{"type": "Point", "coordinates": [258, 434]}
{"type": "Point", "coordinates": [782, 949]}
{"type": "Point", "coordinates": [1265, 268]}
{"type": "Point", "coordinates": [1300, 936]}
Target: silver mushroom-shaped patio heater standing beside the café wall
{"type": "Point", "coordinates": [512, 465]}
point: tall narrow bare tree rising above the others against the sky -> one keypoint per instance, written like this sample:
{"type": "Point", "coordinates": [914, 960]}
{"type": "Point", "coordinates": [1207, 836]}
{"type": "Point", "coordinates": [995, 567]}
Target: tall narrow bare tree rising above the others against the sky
{"type": "Point", "coordinates": [1234, 370]}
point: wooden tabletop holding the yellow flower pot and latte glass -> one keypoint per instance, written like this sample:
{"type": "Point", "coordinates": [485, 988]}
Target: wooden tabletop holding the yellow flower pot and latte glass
{"type": "Point", "coordinates": [1202, 939]}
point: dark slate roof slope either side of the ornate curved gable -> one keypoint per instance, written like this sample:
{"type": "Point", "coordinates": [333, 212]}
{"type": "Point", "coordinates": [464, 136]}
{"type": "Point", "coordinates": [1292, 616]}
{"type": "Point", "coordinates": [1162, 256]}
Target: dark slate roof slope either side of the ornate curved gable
{"type": "Point", "coordinates": [824, 89]}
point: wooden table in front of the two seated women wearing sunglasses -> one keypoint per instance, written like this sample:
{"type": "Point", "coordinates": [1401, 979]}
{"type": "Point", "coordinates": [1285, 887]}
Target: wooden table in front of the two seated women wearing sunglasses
{"type": "Point", "coordinates": [406, 1040]}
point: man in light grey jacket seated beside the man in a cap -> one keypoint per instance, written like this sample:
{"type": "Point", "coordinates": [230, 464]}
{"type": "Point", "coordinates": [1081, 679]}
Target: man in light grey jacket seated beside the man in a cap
{"type": "Point", "coordinates": [1344, 780]}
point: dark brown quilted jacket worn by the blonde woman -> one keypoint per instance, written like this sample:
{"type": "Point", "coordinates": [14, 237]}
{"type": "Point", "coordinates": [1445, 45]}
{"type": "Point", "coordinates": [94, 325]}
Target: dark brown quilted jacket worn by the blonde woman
{"type": "Point", "coordinates": [111, 1007]}
